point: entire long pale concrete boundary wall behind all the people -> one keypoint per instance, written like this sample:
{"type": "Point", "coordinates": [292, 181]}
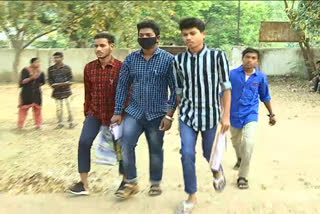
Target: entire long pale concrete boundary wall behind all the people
{"type": "Point", "coordinates": [274, 61]}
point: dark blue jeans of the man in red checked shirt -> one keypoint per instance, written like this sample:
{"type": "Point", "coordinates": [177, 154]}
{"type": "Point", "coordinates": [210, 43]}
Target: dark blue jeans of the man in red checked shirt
{"type": "Point", "coordinates": [89, 132]}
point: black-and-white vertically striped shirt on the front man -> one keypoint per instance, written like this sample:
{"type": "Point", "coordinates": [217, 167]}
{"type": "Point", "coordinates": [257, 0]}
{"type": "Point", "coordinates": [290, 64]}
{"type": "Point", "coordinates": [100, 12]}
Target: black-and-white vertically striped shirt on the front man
{"type": "Point", "coordinates": [199, 78]}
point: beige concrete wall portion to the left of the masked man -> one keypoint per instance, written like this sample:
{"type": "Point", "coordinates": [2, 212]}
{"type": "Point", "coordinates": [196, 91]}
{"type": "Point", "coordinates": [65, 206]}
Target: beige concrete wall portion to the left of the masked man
{"type": "Point", "coordinates": [75, 58]}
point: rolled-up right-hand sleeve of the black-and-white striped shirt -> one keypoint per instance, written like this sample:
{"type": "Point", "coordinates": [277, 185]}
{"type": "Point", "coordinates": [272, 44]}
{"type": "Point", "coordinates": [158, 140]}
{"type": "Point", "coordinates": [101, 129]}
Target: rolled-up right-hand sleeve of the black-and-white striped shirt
{"type": "Point", "coordinates": [224, 72]}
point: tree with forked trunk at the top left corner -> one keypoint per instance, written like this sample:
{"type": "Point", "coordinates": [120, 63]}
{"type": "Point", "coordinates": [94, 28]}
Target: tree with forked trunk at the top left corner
{"type": "Point", "coordinates": [25, 22]}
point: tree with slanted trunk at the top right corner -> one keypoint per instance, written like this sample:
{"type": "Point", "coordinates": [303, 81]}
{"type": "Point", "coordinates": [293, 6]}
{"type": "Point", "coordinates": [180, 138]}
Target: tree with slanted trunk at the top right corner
{"type": "Point", "coordinates": [304, 18]}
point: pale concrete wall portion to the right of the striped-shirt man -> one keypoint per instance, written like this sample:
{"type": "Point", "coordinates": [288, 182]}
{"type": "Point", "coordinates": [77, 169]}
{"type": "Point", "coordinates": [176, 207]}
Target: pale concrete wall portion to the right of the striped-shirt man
{"type": "Point", "coordinates": [276, 61]}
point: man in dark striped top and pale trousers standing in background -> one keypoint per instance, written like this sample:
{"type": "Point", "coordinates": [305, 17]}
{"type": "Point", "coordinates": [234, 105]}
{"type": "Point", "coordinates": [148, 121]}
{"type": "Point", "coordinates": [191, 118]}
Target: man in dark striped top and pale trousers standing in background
{"type": "Point", "coordinates": [60, 79]}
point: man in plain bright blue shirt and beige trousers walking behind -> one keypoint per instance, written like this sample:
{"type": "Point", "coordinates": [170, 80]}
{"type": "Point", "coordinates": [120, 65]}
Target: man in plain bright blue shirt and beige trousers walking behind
{"type": "Point", "coordinates": [249, 85]}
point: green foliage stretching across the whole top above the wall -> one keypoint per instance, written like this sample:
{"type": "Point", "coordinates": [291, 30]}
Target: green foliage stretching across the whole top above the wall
{"type": "Point", "coordinates": [78, 21]}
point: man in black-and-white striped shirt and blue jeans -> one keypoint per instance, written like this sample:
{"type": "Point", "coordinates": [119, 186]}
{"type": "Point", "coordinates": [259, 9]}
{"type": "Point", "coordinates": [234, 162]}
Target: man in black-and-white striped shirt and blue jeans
{"type": "Point", "coordinates": [200, 74]}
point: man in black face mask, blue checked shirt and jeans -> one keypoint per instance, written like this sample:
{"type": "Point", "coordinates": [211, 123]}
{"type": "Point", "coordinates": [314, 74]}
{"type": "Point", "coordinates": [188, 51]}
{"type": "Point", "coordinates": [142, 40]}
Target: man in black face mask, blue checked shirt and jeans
{"type": "Point", "coordinates": [149, 71]}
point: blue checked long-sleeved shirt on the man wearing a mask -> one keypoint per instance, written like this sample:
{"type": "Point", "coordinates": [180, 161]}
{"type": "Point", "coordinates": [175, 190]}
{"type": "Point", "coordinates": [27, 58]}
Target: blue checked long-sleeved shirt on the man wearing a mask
{"type": "Point", "coordinates": [150, 81]}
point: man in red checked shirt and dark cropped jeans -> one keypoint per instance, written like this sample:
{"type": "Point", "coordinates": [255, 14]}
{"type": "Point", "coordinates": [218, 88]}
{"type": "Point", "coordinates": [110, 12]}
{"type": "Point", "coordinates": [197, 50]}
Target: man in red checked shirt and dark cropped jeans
{"type": "Point", "coordinates": [100, 81]}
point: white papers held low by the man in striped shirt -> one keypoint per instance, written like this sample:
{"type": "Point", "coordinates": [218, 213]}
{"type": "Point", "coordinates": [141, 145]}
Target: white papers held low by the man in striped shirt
{"type": "Point", "coordinates": [218, 150]}
